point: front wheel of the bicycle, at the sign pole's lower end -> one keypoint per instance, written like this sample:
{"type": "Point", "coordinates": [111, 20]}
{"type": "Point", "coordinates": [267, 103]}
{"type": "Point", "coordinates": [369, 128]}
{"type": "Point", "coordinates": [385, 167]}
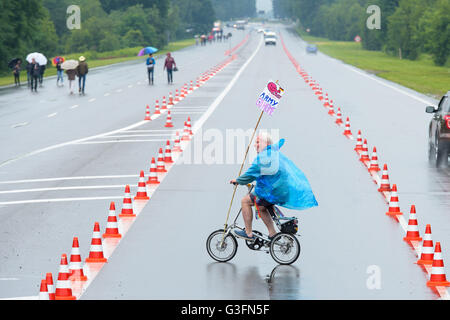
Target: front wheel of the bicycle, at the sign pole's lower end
{"type": "Point", "coordinates": [219, 250]}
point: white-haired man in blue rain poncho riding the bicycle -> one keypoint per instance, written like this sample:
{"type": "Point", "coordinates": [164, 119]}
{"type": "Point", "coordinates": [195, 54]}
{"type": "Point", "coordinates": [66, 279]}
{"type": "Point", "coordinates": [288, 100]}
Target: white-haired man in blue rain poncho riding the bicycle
{"type": "Point", "coordinates": [278, 182]}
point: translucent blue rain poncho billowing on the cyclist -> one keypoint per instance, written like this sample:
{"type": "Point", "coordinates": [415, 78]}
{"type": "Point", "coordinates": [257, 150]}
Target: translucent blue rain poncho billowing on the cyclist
{"type": "Point", "coordinates": [278, 180]}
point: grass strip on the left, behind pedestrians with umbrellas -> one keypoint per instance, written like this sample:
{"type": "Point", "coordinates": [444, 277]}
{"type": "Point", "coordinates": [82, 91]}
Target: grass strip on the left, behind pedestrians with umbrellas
{"type": "Point", "coordinates": [96, 59]}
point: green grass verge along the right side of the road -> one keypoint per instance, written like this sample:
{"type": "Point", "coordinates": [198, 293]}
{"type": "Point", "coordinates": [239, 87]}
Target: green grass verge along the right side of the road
{"type": "Point", "coordinates": [420, 75]}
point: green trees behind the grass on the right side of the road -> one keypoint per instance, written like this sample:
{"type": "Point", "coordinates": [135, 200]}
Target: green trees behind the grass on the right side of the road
{"type": "Point", "coordinates": [407, 29]}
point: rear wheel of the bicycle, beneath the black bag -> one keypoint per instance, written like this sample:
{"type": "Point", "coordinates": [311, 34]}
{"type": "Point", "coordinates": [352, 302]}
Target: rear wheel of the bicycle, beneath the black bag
{"type": "Point", "coordinates": [284, 248]}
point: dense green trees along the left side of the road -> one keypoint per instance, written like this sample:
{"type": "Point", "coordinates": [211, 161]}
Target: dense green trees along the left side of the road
{"type": "Point", "coordinates": [106, 25]}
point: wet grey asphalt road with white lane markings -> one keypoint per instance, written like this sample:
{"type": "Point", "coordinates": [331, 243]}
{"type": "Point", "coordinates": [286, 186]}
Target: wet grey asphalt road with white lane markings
{"type": "Point", "coordinates": [162, 255]}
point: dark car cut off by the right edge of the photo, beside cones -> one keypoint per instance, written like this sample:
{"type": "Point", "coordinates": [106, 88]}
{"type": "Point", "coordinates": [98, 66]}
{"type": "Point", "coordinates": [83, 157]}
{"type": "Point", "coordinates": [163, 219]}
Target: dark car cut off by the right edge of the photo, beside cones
{"type": "Point", "coordinates": [439, 132]}
